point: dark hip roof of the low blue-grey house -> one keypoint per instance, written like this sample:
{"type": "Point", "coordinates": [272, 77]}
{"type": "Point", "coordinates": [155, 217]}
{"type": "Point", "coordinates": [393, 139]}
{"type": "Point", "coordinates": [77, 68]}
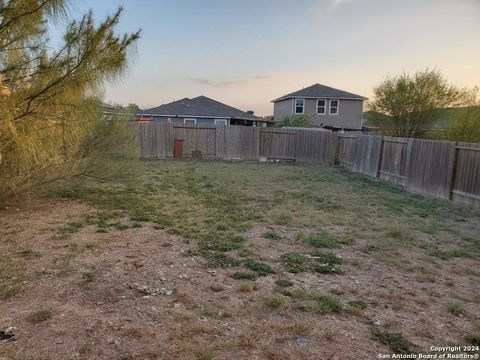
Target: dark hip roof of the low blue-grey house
{"type": "Point", "coordinates": [199, 106]}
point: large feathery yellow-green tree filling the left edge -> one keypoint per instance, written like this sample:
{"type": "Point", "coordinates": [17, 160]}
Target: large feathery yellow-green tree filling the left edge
{"type": "Point", "coordinates": [49, 108]}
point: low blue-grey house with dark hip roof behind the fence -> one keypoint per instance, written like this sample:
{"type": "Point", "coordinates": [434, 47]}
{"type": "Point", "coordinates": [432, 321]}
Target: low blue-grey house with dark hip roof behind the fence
{"type": "Point", "coordinates": [199, 110]}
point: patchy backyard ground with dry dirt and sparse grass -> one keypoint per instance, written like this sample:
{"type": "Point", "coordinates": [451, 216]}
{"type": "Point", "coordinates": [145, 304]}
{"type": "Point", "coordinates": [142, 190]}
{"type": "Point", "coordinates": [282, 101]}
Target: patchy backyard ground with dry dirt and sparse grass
{"type": "Point", "coordinates": [221, 260]}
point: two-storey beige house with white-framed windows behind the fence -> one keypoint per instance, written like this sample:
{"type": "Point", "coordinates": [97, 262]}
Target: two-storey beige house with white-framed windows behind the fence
{"type": "Point", "coordinates": [328, 107]}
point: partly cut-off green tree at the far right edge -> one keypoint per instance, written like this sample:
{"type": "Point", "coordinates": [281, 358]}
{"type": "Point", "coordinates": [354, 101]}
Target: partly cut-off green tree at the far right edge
{"type": "Point", "coordinates": [465, 125]}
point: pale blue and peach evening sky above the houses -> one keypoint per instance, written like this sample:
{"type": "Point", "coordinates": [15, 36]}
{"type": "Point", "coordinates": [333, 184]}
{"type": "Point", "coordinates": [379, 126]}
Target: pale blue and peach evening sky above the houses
{"type": "Point", "coordinates": [247, 52]}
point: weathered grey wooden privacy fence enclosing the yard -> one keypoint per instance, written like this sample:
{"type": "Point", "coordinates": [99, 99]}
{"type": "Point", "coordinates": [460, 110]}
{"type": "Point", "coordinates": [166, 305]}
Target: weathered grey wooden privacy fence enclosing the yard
{"type": "Point", "coordinates": [443, 169]}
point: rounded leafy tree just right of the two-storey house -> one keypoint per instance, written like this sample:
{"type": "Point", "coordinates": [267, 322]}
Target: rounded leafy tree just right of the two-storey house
{"type": "Point", "coordinates": [408, 105]}
